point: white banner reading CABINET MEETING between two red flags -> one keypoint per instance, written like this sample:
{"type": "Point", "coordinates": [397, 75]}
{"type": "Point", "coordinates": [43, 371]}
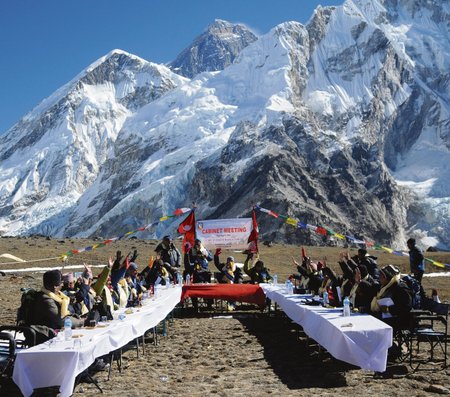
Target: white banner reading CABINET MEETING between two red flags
{"type": "Point", "coordinates": [224, 233]}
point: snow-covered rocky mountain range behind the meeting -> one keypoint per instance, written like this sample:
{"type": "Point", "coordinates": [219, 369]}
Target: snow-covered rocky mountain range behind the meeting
{"type": "Point", "coordinates": [343, 122]}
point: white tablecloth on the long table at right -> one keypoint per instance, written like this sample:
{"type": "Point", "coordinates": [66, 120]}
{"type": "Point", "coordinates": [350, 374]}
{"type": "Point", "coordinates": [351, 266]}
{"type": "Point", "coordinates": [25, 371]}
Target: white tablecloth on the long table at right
{"type": "Point", "coordinates": [360, 339]}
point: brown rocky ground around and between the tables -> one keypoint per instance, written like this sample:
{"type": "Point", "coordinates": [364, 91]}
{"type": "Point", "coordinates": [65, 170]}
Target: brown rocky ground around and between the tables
{"type": "Point", "coordinates": [227, 354]}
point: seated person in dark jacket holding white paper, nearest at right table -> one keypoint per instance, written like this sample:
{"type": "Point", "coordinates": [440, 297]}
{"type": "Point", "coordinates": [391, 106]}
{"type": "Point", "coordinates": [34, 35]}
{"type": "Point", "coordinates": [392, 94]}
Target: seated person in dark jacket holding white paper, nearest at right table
{"type": "Point", "coordinates": [396, 310]}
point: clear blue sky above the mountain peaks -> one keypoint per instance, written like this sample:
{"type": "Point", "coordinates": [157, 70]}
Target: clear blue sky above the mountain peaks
{"type": "Point", "coordinates": [45, 43]}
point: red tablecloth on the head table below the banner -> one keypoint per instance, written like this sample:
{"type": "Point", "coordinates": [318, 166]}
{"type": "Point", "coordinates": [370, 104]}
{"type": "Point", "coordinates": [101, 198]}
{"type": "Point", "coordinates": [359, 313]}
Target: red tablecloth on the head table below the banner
{"type": "Point", "coordinates": [250, 293]}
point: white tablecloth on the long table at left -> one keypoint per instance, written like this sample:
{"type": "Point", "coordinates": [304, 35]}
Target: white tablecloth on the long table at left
{"type": "Point", "coordinates": [59, 363]}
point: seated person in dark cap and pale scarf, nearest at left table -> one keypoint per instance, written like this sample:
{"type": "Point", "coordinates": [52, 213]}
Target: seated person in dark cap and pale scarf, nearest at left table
{"type": "Point", "coordinates": [51, 306]}
